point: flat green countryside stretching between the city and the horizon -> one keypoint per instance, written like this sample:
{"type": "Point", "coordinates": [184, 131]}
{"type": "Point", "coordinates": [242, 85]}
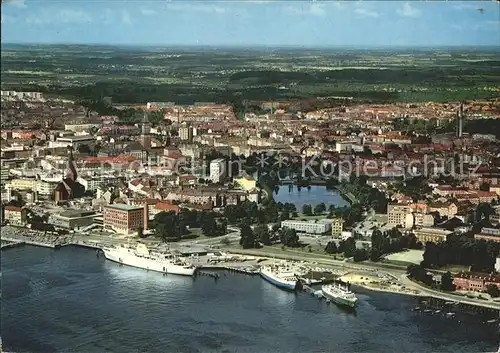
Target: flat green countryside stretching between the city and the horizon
{"type": "Point", "coordinates": [187, 75]}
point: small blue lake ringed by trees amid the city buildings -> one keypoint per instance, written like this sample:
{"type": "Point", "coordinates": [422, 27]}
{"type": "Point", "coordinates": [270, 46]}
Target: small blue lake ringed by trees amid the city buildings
{"type": "Point", "coordinates": [312, 196]}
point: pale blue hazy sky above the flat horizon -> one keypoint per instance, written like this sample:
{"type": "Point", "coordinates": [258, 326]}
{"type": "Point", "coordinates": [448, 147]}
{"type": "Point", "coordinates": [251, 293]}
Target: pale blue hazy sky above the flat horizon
{"type": "Point", "coordinates": [252, 23]}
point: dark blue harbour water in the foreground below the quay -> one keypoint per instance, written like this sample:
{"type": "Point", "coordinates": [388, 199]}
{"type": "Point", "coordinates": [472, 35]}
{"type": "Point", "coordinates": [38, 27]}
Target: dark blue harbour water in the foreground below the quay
{"type": "Point", "coordinates": [69, 300]}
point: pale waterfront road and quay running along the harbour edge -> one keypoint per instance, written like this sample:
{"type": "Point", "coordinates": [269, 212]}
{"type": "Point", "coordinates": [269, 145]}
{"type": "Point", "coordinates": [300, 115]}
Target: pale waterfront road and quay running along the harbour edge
{"type": "Point", "coordinates": [400, 283]}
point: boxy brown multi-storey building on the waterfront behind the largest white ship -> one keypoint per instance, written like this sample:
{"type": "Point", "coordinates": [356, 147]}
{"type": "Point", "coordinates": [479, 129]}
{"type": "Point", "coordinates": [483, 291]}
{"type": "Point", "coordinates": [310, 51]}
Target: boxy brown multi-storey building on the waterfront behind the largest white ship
{"type": "Point", "coordinates": [125, 219]}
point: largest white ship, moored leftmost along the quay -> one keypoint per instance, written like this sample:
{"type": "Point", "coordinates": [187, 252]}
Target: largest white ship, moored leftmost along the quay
{"type": "Point", "coordinates": [142, 257]}
